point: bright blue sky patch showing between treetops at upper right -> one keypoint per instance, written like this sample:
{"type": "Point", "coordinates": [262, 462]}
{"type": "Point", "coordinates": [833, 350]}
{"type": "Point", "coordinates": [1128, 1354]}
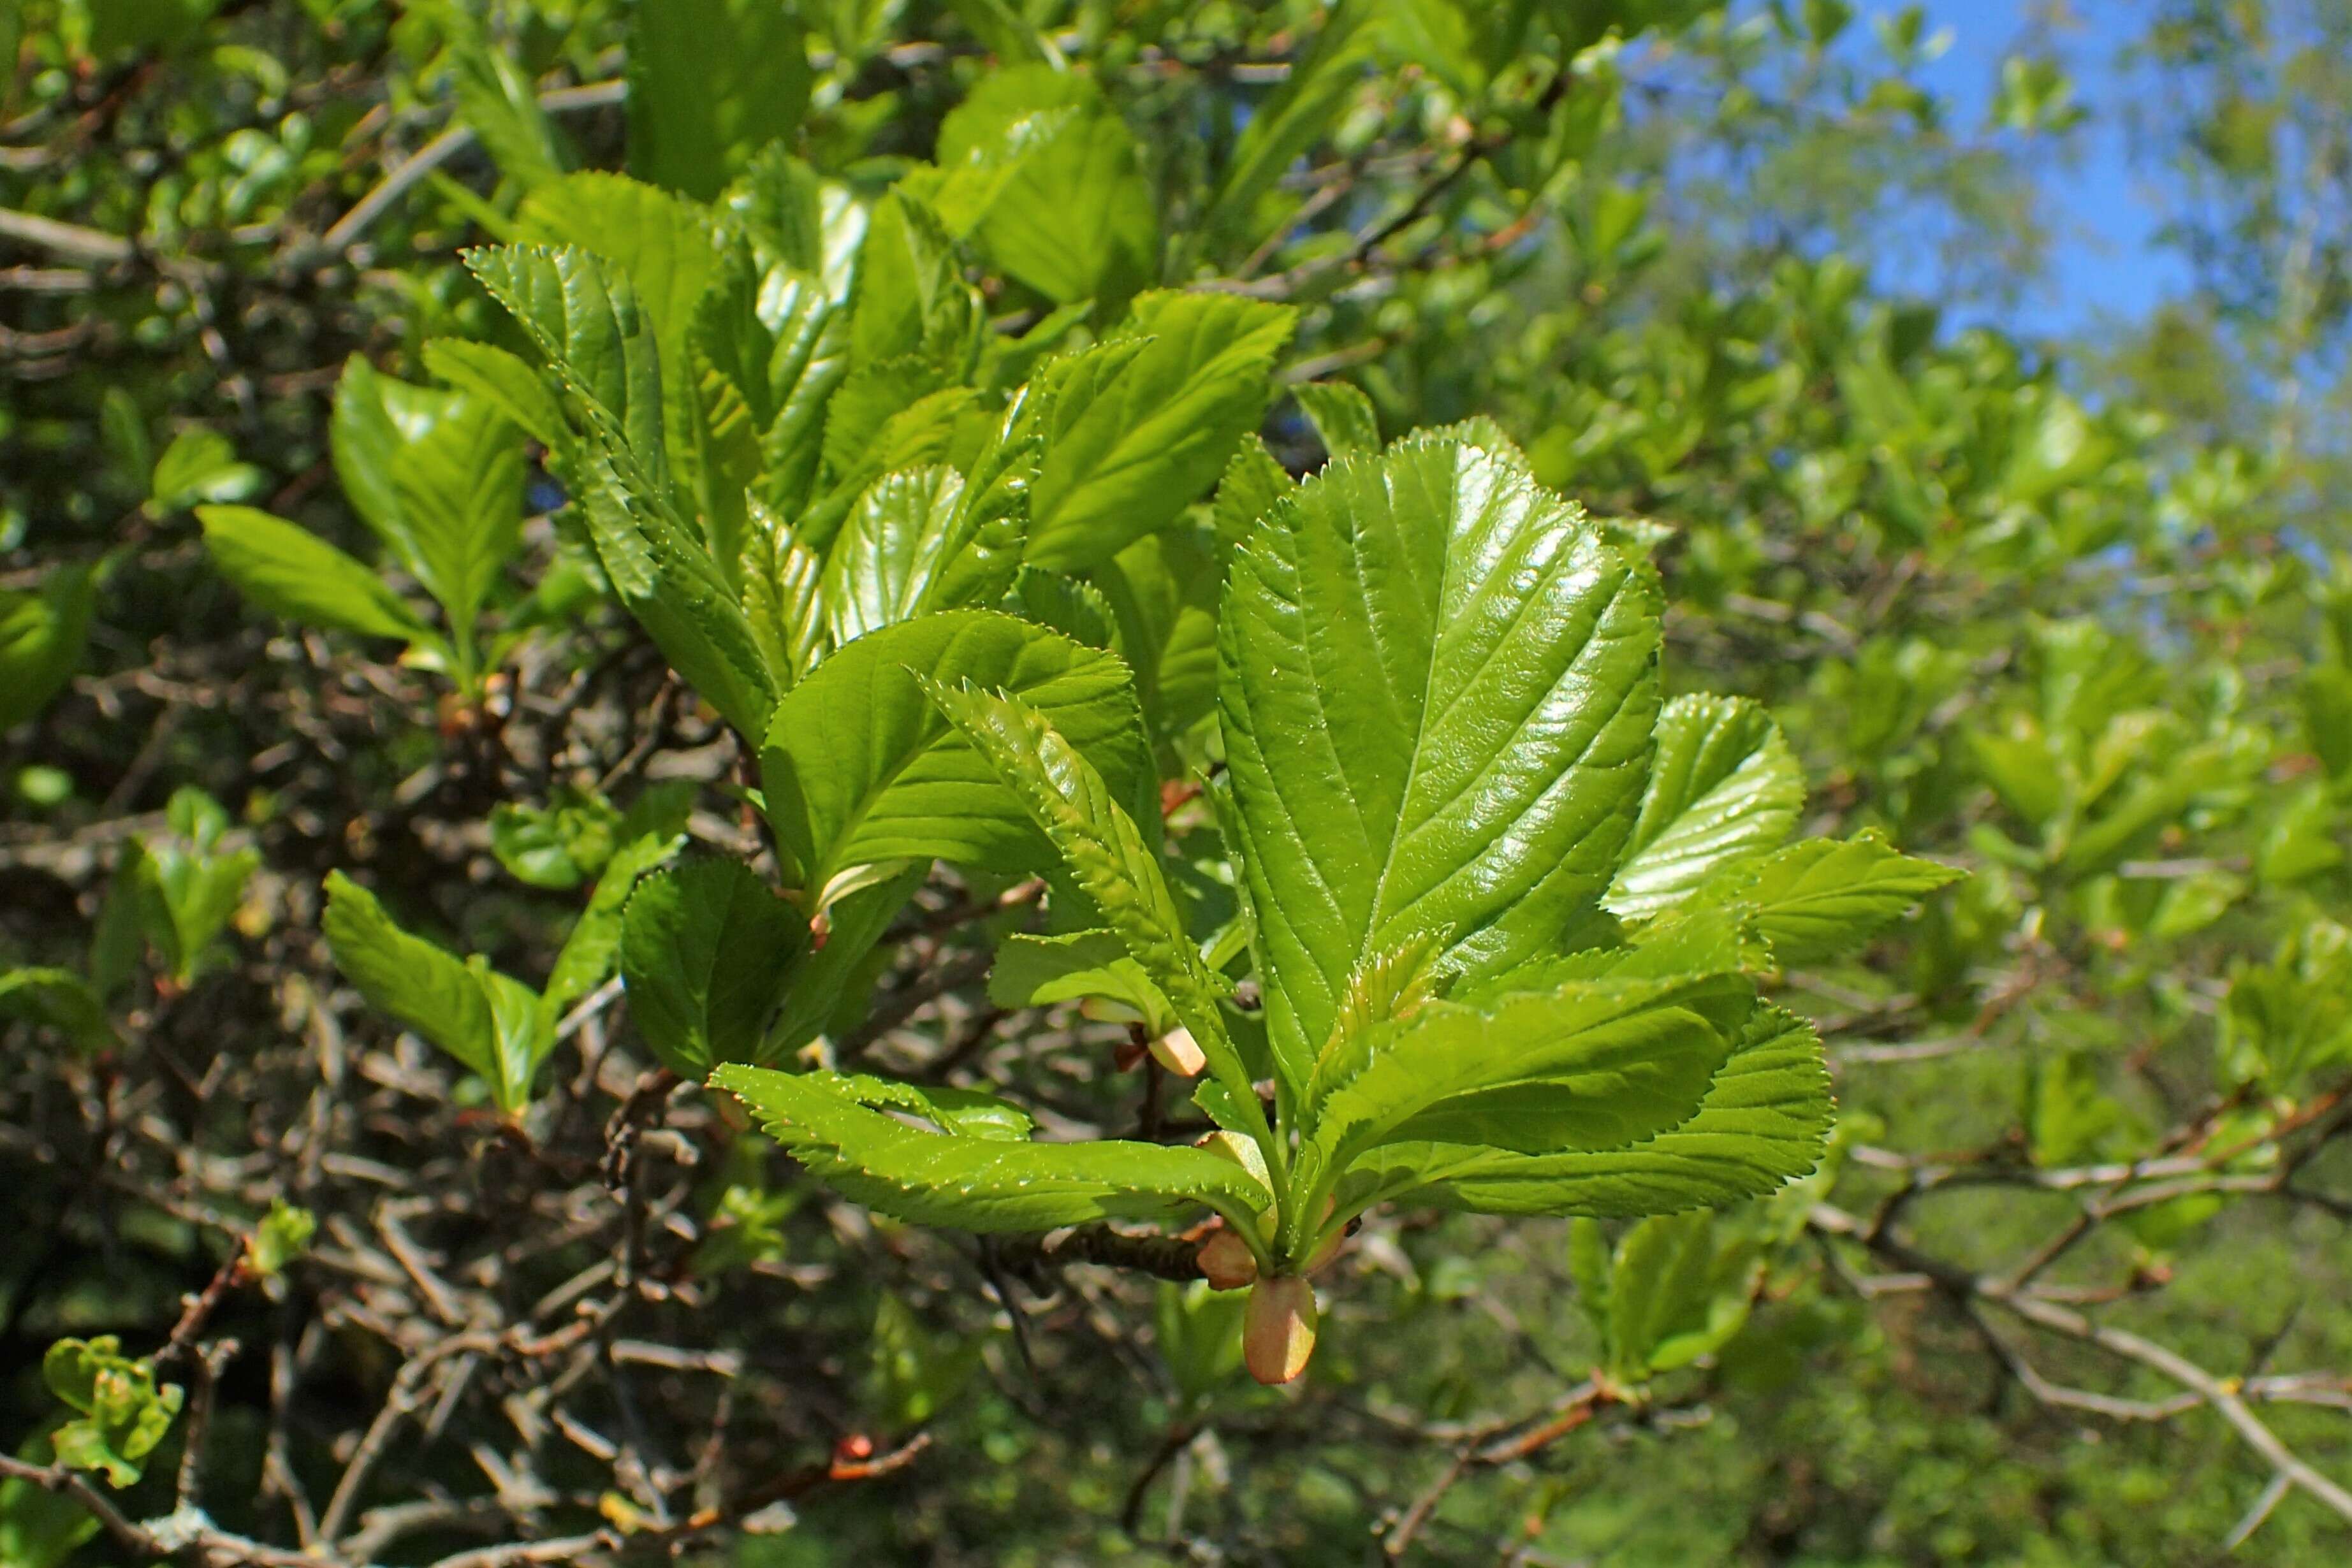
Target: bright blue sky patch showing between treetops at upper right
{"type": "Point", "coordinates": [2104, 206]}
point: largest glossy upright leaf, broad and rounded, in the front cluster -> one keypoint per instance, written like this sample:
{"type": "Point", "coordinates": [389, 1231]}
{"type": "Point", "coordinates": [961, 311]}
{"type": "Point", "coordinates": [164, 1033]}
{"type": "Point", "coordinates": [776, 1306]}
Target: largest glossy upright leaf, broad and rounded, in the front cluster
{"type": "Point", "coordinates": [1438, 697]}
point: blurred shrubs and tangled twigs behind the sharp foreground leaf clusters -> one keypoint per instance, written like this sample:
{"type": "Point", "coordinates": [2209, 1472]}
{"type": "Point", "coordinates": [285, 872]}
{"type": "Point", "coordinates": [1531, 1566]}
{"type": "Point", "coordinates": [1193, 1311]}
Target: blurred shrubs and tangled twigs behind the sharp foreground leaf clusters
{"type": "Point", "coordinates": [2076, 617]}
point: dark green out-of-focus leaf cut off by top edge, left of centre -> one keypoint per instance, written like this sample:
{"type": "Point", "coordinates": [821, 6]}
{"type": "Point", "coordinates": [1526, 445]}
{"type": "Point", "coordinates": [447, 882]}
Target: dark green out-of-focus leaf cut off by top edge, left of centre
{"type": "Point", "coordinates": [709, 86]}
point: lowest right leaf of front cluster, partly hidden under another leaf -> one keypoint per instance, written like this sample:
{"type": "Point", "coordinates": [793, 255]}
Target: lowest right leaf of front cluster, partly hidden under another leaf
{"type": "Point", "coordinates": [1763, 1123]}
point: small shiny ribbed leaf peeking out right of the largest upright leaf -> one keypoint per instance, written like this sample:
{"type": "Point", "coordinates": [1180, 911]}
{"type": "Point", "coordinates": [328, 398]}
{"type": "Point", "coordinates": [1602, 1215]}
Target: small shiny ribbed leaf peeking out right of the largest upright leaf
{"type": "Point", "coordinates": [1723, 789]}
